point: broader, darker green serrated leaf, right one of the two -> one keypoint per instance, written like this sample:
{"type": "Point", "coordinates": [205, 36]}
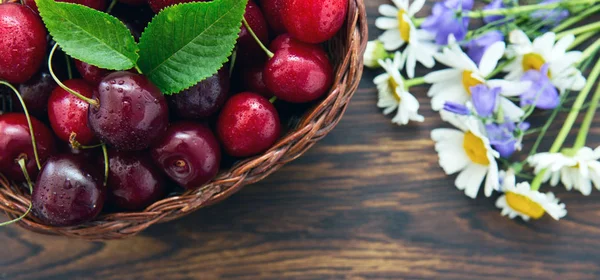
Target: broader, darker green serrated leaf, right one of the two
{"type": "Point", "coordinates": [187, 43]}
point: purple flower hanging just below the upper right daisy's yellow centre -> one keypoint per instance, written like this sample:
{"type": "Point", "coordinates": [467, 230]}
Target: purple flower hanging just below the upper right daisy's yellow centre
{"type": "Point", "coordinates": [542, 93]}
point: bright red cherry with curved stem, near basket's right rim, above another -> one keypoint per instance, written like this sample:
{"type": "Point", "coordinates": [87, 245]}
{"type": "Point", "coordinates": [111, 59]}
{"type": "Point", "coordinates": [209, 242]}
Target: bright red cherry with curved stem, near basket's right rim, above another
{"type": "Point", "coordinates": [298, 72]}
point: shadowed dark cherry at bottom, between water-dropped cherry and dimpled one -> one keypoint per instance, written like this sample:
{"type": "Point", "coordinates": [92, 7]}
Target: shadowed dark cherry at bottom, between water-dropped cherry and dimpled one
{"type": "Point", "coordinates": [134, 182]}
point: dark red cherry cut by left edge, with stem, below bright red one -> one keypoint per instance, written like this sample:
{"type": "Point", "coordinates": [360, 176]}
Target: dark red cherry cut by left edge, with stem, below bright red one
{"type": "Point", "coordinates": [15, 143]}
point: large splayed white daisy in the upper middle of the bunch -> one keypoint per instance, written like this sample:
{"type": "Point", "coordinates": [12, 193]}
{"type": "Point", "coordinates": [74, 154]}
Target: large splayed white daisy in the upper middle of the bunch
{"type": "Point", "coordinates": [454, 84]}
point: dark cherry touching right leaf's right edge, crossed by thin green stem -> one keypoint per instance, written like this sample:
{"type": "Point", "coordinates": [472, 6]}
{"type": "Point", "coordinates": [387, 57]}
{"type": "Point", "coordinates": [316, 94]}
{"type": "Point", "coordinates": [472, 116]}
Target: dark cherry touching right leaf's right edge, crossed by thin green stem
{"type": "Point", "coordinates": [248, 51]}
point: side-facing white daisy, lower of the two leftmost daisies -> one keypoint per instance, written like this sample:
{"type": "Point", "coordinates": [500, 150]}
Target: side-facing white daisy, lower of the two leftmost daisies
{"type": "Point", "coordinates": [393, 95]}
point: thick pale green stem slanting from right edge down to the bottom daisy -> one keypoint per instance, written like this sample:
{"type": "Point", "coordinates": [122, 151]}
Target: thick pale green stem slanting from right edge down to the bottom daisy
{"type": "Point", "coordinates": [564, 132]}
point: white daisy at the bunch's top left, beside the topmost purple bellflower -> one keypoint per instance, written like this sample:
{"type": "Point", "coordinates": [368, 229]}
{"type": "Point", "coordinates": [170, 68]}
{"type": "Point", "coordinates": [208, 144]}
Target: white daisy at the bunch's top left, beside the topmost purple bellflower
{"type": "Point", "coordinates": [400, 31]}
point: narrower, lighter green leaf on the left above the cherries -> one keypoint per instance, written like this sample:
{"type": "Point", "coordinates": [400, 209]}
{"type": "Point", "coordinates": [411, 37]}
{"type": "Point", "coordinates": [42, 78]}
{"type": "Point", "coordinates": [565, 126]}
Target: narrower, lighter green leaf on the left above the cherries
{"type": "Point", "coordinates": [89, 35]}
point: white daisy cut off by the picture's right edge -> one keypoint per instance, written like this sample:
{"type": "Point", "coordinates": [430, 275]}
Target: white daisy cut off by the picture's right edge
{"type": "Point", "coordinates": [578, 171]}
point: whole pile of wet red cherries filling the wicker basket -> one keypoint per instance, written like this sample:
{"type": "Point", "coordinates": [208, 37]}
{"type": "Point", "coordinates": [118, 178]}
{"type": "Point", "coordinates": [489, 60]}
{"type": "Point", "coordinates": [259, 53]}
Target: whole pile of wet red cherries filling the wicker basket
{"type": "Point", "coordinates": [121, 121]}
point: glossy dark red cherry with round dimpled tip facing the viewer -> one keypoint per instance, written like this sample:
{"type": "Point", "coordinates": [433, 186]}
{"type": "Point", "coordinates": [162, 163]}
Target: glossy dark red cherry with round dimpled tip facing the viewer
{"type": "Point", "coordinates": [189, 154]}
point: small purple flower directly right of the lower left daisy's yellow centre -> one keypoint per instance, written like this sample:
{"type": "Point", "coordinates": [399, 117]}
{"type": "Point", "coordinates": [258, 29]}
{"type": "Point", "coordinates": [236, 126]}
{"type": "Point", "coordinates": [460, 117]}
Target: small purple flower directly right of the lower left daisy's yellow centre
{"type": "Point", "coordinates": [502, 137]}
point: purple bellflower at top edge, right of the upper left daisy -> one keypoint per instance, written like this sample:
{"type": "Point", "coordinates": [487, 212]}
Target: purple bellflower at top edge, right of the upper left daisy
{"type": "Point", "coordinates": [444, 20]}
